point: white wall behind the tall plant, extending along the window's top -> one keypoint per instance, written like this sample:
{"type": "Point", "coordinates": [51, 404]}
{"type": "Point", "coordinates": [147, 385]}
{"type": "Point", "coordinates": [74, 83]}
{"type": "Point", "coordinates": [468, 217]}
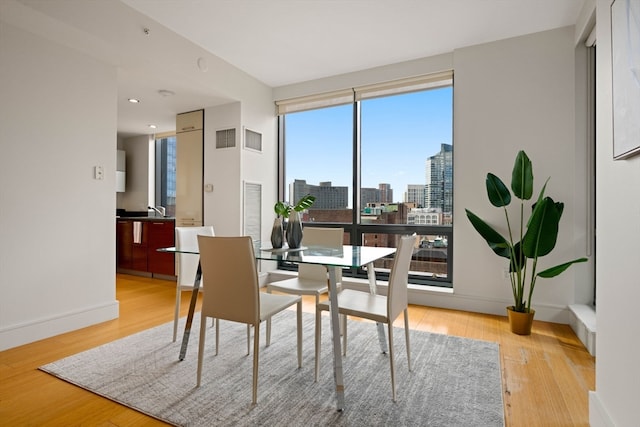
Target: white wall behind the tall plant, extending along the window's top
{"type": "Point", "coordinates": [509, 95]}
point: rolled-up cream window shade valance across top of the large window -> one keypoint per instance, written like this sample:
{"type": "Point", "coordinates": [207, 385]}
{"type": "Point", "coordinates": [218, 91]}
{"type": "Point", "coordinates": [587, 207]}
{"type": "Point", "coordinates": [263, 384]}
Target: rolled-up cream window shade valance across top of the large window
{"type": "Point", "coordinates": [348, 96]}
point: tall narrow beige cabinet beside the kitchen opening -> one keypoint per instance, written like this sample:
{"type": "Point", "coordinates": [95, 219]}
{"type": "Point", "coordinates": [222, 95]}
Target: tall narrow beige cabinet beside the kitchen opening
{"type": "Point", "coordinates": [189, 168]}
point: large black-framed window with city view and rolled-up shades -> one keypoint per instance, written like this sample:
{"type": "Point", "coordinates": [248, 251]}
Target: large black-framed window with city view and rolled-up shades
{"type": "Point", "coordinates": [379, 160]}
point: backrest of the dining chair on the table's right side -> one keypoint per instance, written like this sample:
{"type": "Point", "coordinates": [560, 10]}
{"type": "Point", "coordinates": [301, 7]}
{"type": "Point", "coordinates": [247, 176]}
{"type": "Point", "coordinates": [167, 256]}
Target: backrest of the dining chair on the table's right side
{"type": "Point", "coordinates": [397, 296]}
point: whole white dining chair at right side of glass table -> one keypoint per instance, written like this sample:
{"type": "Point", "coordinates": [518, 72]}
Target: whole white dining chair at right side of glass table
{"type": "Point", "coordinates": [379, 308]}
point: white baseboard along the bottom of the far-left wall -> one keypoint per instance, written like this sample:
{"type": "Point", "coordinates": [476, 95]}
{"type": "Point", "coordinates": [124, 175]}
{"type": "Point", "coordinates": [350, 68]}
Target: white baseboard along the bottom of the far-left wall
{"type": "Point", "coordinates": [16, 335]}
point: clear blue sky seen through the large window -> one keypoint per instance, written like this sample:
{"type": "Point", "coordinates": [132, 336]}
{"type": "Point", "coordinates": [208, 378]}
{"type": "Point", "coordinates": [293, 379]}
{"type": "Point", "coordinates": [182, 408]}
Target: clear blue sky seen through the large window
{"type": "Point", "coordinates": [399, 133]}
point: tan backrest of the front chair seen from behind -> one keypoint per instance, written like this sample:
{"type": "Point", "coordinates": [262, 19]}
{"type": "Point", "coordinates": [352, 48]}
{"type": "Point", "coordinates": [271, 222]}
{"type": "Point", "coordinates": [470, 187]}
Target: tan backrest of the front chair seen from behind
{"type": "Point", "coordinates": [232, 291]}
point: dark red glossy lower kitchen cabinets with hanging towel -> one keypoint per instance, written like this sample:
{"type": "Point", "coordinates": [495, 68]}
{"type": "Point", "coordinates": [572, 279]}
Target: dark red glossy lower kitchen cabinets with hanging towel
{"type": "Point", "coordinates": [136, 246]}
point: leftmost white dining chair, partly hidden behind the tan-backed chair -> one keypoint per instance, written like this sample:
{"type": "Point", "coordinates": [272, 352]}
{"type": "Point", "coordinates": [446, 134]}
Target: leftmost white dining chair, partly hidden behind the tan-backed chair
{"type": "Point", "coordinates": [187, 264]}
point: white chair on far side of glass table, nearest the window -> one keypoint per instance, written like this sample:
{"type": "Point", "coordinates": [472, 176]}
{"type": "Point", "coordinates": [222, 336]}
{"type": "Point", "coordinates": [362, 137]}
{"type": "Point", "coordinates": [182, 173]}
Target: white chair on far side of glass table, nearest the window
{"type": "Point", "coordinates": [311, 279]}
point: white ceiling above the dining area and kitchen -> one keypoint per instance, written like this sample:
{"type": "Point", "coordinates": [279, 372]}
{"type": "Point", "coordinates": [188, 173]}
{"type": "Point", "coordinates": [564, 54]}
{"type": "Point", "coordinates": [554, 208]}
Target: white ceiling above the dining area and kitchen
{"type": "Point", "coordinates": [278, 42]}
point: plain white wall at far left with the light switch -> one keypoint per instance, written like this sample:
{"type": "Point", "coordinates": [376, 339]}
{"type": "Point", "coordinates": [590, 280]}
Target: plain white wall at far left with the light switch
{"type": "Point", "coordinates": [57, 258]}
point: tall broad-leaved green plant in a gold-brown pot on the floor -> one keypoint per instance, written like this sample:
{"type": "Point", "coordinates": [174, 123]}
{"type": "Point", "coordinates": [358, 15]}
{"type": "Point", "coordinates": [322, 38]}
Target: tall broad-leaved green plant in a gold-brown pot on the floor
{"type": "Point", "coordinates": [535, 238]}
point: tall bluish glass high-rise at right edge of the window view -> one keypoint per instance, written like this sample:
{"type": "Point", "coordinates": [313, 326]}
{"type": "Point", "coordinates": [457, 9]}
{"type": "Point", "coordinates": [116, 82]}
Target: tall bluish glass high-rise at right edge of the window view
{"type": "Point", "coordinates": [439, 178]}
